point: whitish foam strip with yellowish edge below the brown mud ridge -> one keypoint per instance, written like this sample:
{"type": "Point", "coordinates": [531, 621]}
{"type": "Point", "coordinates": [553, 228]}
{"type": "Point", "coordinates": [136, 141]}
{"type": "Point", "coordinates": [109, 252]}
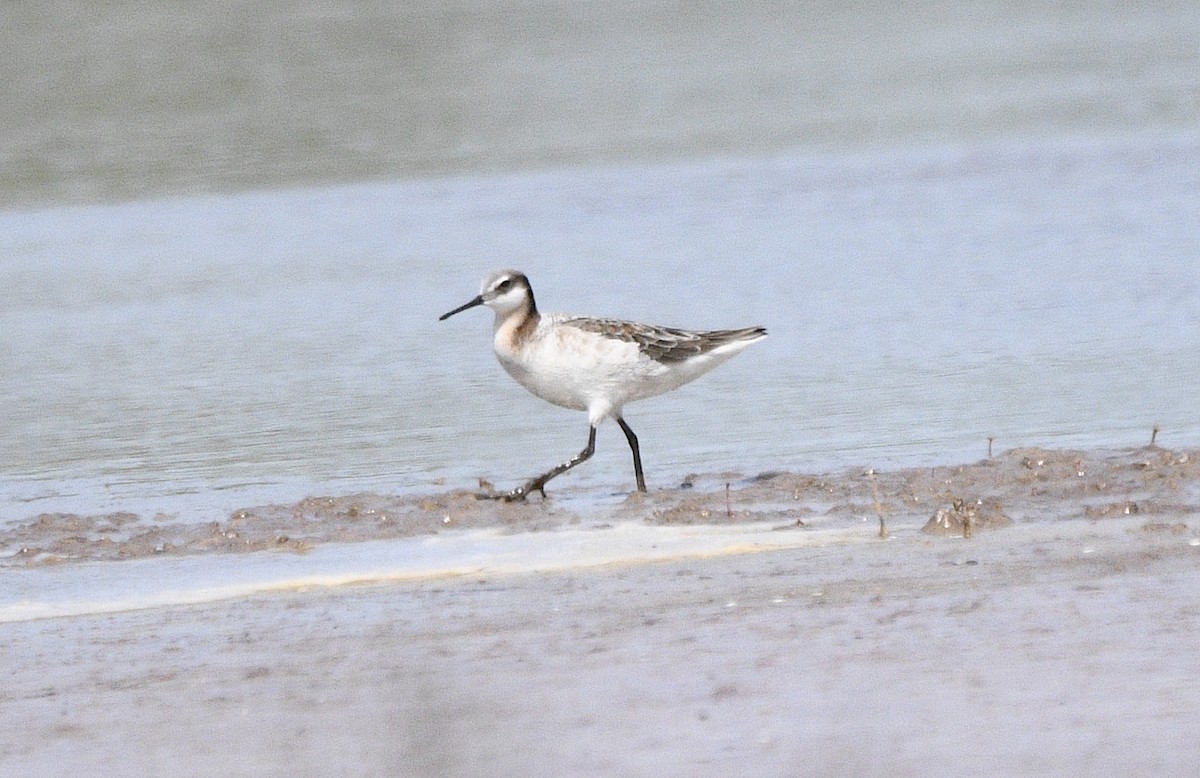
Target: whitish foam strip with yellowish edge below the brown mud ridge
{"type": "Point", "coordinates": [107, 588]}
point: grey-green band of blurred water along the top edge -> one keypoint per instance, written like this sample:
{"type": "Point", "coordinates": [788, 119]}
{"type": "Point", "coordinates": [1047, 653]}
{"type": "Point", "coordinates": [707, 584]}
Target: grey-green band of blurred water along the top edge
{"type": "Point", "coordinates": [134, 99]}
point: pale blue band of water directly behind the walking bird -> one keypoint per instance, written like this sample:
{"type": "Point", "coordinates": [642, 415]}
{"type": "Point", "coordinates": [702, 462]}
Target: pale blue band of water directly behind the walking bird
{"type": "Point", "coordinates": [917, 304]}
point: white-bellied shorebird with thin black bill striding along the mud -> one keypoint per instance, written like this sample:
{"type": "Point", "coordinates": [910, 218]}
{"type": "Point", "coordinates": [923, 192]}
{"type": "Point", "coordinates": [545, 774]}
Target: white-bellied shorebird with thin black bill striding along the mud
{"type": "Point", "coordinates": [593, 364]}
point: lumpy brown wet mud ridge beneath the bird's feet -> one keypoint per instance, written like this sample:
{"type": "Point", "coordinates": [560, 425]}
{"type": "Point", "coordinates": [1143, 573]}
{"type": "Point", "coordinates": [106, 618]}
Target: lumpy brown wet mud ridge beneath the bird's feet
{"type": "Point", "coordinates": [1156, 487]}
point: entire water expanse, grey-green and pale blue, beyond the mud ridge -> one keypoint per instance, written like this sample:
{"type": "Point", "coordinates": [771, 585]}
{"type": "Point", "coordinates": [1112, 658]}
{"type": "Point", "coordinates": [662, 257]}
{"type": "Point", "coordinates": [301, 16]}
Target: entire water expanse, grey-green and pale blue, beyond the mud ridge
{"type": "Point", "coordinates": [229, 231]}
